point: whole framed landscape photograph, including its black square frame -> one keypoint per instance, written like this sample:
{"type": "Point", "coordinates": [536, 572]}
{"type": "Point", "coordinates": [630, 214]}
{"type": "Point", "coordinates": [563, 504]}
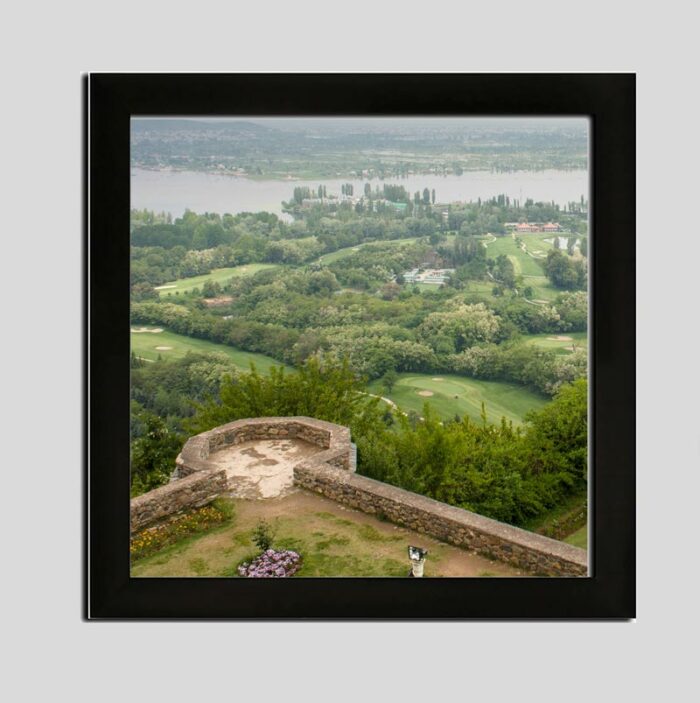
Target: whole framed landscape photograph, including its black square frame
{"type": "Point", "coordinates": [360, 346]}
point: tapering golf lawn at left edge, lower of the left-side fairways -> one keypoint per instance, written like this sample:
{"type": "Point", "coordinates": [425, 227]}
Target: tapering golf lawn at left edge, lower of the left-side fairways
{"type": "Point", "coordinates": [145, 345]}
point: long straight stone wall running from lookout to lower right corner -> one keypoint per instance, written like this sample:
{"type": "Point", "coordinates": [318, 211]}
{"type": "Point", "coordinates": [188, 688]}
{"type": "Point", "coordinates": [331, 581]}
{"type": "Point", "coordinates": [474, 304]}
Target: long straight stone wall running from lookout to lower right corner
{"type": "Point", "coordinates": [527, 550]}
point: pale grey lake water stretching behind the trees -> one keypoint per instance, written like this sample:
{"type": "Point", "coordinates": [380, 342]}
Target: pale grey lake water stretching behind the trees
{"type": "Point", "coordinates": [176, 191]}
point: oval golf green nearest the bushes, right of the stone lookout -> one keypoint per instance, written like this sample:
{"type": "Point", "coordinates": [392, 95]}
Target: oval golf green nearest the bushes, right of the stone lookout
{"type": "Point", "coordinates": [500, 398]}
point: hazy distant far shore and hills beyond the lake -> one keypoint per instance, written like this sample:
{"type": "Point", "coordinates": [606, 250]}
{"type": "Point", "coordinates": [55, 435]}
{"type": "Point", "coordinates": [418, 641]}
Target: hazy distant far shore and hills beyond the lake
{"type": "Point", "coordinates": [316, 148]}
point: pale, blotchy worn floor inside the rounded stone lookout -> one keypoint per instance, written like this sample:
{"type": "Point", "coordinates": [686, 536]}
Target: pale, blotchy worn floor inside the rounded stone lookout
{"type": "Point", "coordinates": [262, 468]}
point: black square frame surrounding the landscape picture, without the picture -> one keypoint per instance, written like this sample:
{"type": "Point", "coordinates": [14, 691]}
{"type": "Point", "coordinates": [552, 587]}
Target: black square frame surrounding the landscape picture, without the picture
{"type": "Point", "coordinates": [111, 100]}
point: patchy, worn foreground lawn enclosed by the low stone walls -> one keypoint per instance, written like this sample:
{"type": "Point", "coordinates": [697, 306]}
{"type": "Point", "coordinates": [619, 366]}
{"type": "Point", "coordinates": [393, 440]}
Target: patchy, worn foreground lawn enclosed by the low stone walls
{"type": "Point", "coordinates": [332, 540]}
